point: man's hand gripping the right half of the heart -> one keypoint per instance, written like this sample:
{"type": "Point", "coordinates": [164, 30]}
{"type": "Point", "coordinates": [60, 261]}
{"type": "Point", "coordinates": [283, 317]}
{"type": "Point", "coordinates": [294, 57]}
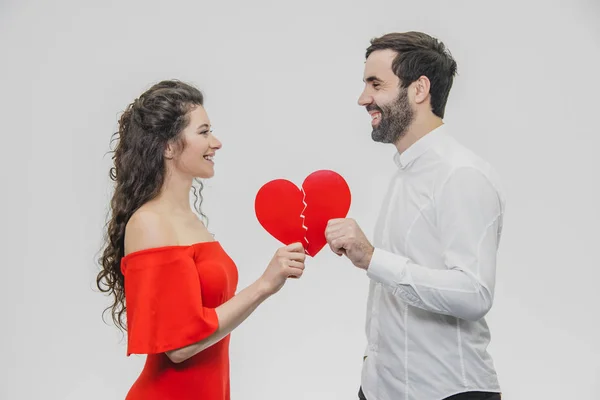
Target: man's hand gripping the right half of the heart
{"type": "Point", "coordinates": [344, 236]}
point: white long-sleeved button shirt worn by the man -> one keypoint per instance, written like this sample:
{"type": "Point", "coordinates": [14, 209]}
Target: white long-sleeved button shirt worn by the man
{"type": "Point", "coordinates": [433, 275]}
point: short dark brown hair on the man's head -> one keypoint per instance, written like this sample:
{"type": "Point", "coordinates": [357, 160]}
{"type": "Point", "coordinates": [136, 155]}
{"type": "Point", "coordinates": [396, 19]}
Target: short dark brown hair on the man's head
{"type": "Point", "coordinates": [419, 54]}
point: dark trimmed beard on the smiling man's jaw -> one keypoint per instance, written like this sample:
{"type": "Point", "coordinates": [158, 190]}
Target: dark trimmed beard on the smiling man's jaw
{"type": "Point", "coordinates": [395, 119]}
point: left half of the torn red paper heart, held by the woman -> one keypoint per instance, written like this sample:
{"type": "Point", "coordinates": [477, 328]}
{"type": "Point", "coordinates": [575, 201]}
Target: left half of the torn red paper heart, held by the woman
{"type": "Point", "coordinates": [279, 207]}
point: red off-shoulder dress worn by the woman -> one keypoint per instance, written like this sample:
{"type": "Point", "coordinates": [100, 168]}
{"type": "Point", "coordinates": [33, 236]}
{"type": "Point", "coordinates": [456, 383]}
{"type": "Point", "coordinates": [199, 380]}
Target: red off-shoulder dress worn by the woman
{"type": "Point", "coordinates": [171, 294]}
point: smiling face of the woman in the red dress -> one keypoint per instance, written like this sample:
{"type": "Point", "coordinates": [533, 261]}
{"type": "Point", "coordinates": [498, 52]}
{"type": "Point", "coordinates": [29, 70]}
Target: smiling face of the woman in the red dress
{"type": "Point", "coordinates": [196, 159]}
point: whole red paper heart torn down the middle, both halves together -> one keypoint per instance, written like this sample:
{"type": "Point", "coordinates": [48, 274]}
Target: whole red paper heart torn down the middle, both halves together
{"type": "Point", "coordinates": [291, 214]}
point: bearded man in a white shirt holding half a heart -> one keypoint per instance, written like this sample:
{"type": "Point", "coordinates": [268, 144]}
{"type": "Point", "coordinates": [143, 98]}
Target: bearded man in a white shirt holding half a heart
{"type": "Point", "coordinates": [433, 258]}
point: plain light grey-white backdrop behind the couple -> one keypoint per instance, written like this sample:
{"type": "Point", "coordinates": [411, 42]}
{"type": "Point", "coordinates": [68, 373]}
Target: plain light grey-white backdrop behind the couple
{"type": "Point", "coordinates": [281, 81]}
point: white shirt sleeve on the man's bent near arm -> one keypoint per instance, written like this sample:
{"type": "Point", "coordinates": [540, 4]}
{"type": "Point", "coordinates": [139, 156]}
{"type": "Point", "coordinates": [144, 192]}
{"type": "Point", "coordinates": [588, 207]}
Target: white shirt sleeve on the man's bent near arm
{"type": "Point", "coordinates": [469, 215]}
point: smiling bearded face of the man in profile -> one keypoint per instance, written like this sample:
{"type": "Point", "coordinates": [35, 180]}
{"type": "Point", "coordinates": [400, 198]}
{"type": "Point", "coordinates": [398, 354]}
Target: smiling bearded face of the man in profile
{"type": "Point", "coordinates": [385, 101]}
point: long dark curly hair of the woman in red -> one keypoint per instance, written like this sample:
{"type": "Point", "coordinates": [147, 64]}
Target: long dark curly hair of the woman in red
{"type": "Point", "coordinates": [146, 126]}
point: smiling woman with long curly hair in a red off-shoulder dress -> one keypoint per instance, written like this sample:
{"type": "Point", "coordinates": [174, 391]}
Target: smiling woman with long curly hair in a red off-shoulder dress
{"type": "Point", "coordinates": [179, 284]}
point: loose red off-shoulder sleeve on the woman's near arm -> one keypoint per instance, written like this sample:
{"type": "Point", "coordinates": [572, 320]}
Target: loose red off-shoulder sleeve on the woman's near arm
{"type": "Point", "coordinates": [164, 302]}
